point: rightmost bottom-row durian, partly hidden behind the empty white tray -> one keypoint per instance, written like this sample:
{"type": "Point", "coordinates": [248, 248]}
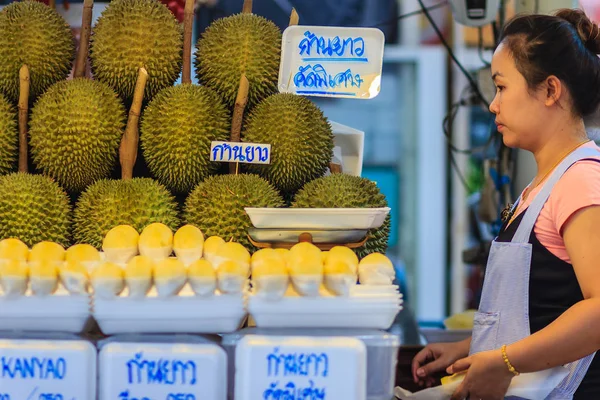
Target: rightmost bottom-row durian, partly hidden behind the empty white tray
{"type": "Point", "coordinates": [347, 191]}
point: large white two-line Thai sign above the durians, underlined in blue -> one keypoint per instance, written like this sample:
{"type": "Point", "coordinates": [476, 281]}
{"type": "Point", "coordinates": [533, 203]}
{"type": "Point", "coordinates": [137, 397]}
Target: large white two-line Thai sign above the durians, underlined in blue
{"type": "Point", "coordinates": [331, 61]}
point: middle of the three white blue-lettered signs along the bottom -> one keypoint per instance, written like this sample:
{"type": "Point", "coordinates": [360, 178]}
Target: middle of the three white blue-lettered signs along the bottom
{"type": "Point", "coordinates": [142, 371]}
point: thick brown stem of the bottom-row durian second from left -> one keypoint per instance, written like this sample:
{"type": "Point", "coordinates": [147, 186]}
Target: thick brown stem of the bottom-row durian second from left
{"type": "Point", "coordinates": [129, 143]}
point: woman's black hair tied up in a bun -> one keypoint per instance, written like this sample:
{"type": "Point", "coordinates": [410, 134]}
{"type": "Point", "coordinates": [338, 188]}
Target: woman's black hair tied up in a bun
{"type": "Point", "coordinates": [565, 45]}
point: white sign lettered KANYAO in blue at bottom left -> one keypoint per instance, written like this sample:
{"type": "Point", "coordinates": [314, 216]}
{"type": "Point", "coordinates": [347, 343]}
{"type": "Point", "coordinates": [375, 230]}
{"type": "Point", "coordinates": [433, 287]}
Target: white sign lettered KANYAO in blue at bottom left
{"type": "Point", "coordinates": [47, 370]}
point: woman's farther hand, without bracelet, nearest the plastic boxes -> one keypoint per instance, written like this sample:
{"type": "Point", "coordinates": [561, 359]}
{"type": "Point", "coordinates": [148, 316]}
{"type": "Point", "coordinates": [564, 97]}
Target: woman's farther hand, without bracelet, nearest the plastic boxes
{"type": "Point", "coordinates": [437, 357]}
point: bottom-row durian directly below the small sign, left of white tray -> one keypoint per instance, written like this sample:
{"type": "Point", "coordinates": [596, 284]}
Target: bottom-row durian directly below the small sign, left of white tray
{"type": "Point", "coordinates": [216, 205]}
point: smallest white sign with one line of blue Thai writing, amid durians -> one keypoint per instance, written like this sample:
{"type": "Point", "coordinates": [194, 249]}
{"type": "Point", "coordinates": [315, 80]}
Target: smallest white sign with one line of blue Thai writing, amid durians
{"type": "Point", "coordinates": [249, 153]}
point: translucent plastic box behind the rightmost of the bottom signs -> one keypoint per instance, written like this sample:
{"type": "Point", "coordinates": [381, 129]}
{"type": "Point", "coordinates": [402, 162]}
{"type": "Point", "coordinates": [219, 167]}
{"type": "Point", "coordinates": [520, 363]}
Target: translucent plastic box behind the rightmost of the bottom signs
{"type": "Point", "coordinates": [381, 353]}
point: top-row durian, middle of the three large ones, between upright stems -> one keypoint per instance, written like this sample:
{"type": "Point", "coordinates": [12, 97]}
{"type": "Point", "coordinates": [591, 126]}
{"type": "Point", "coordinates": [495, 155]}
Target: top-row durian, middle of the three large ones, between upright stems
{"type": "Point", "coordinates": [130, 34]}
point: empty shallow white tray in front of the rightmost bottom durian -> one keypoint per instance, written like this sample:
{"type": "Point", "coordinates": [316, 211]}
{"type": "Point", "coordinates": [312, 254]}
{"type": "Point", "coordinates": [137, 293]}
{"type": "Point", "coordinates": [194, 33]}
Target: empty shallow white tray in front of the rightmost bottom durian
{"type": "Point", "coordinates": [317, 218]}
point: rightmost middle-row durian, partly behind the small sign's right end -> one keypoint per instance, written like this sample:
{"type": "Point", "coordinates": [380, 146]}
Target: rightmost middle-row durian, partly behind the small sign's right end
{"type": "Point", "coordinates": [300, 136]}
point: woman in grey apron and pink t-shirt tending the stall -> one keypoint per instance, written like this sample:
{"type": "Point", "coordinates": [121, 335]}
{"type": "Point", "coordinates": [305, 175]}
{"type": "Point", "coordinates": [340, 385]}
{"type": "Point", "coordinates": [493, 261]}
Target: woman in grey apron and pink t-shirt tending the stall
{"type": "Point", "coordinates": [540, 305]}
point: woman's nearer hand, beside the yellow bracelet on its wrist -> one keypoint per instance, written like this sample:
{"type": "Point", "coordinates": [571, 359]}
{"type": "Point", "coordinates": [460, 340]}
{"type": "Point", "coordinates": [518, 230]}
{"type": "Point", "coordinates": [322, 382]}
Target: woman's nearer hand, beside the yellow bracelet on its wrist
{"type": "Point", "coordinates": [487, 376]}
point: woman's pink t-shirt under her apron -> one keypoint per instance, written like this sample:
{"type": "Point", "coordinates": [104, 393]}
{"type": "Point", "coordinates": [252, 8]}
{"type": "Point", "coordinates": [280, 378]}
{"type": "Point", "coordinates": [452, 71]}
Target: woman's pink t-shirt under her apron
{"type": "Point", "coordinates": [579, 187]}
